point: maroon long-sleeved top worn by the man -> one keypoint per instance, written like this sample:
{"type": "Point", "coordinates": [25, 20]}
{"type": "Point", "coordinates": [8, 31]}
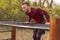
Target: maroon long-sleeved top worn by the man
{"type": "Point", "coordinates": [37, 15]}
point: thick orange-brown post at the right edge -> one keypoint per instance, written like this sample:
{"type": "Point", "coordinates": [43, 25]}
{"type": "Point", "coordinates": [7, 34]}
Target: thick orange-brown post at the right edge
{"type": "Point", "coordinates": [54, 29]}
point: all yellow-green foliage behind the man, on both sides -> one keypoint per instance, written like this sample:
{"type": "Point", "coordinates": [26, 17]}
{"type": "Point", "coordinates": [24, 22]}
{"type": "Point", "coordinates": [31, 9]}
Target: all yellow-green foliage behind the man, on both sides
{"type": "Point", "coordinates": [12, 9]}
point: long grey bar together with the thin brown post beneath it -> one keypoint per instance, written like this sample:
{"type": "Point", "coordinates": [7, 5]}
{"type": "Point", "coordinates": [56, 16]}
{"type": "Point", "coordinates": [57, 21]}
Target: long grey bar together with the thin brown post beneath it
{"type": "Point", "coordinates": [14, 25]}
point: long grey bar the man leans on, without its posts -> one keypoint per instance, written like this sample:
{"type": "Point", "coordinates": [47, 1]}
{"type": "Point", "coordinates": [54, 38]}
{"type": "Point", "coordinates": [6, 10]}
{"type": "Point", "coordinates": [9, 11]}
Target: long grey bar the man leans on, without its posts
{"type": "Point", "coordinates": [24, 25]}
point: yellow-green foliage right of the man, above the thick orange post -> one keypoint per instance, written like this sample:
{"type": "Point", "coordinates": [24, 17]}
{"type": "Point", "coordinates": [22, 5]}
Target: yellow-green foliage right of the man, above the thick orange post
{"type": "Point", "coordinates": [54, 13]}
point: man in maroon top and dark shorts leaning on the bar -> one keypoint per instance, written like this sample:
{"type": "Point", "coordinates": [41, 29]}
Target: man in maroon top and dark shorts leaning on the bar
{"type": "Point", "coordinates": [37, 15]}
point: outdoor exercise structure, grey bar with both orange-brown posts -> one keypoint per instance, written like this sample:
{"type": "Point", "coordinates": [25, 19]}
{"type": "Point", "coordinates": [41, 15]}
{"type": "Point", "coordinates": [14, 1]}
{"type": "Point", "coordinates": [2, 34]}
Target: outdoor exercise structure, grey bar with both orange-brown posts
{"type": "Point", "coordinates": [53, 27]}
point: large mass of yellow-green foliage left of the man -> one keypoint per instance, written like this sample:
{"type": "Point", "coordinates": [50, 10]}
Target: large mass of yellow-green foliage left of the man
{"type": "Point", "coordinates": [11, 9]}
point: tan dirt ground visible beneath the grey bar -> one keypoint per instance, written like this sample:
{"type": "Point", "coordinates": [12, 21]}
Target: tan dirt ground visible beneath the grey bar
{"type": "Point", "coordinates": [21, 34]}
